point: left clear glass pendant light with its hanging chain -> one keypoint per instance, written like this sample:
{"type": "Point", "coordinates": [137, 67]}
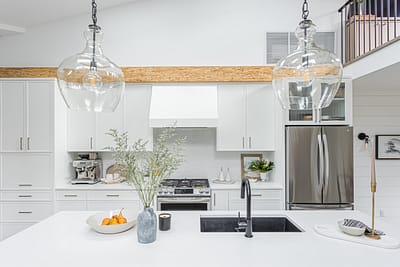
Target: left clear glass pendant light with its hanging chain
{"type": "Point", "coordinates": [89, 80]}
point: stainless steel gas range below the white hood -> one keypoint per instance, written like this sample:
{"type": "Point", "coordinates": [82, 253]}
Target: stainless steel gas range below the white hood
{"type": "Point", "coordinates": [184, 194]}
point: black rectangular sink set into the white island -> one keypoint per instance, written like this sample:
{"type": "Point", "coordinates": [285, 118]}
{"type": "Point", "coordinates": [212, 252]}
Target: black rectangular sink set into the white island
{"type": "Point", "coordinates": [260, 224]}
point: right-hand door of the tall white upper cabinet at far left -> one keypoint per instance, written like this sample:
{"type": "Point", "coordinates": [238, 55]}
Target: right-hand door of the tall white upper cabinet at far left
{"type": "Point", "coordinates": [39, 137]}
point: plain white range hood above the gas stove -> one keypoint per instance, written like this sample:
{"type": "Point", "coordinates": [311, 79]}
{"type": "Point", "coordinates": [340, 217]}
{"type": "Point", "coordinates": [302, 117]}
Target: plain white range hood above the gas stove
{"type": "Point", "coordinates": [183, 106]}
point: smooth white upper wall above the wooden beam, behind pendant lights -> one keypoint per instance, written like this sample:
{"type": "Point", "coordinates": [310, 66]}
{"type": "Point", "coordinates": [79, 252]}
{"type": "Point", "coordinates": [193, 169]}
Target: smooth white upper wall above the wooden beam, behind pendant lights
{"type": "Point", "coordinates": [171, 32]}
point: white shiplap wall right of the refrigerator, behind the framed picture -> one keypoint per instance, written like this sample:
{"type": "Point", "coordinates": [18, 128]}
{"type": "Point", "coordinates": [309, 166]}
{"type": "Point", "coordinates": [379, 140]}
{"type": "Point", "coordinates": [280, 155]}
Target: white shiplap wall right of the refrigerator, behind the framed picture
{"type": "Point", "coordinates": [376, 110]}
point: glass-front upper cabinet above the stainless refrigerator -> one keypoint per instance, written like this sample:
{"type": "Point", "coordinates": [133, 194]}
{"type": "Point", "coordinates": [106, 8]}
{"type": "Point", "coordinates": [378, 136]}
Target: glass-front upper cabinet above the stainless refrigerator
{"type": "Point", "coordinates": [338, 112]}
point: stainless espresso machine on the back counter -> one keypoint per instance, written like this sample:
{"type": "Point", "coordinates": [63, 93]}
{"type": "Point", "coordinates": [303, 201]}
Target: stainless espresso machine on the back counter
{"type": "Point", "coordinates": [87, 170]}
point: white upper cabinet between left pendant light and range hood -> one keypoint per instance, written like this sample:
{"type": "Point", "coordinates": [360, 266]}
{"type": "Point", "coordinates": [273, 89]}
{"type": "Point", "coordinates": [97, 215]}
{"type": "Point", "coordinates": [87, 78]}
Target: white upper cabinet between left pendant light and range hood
{"type": "Point", "coordinates": [87, 131]}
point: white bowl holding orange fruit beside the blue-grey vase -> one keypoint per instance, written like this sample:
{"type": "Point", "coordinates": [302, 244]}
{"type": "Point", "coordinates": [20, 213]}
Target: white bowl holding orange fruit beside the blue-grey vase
{"type": "Point", "coordinates": [95, 220]}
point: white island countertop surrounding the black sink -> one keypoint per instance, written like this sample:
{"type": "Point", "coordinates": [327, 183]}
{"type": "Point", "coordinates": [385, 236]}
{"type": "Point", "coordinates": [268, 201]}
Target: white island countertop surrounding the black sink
{"type": "Point", "coordinates": [65, 240]}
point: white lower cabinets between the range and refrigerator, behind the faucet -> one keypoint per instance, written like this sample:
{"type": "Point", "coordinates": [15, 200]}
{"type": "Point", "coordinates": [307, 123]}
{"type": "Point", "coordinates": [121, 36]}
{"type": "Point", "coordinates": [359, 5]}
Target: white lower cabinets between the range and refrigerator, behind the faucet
{"type": "Point", "coordinates": [264, 199]}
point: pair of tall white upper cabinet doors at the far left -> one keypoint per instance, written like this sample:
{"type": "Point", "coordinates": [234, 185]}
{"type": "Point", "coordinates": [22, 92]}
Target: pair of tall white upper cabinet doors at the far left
{"type": "Point", "coordinates": [27, 115]}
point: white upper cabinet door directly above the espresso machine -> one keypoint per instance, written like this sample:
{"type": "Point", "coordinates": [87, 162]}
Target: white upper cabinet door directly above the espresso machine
{"type": "Point", "coordinates": [81, 129]}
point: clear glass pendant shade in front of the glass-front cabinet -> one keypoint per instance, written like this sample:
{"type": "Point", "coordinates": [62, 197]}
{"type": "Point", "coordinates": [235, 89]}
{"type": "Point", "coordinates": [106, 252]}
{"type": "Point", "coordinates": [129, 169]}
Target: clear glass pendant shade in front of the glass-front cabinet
{"type": "Point", "coordinates": [309, 77]}
